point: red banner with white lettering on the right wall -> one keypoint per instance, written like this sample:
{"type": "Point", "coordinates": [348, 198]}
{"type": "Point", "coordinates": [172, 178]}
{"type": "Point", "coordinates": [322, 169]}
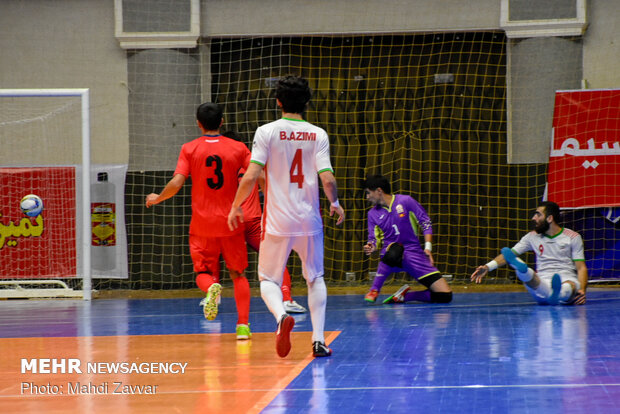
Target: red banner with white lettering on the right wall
{"type": "Point", "coordinates": [584, 163]}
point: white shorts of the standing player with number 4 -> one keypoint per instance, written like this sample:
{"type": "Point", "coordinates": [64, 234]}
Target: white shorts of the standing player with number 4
{"type": "Point", "coordinates": [275, 250]}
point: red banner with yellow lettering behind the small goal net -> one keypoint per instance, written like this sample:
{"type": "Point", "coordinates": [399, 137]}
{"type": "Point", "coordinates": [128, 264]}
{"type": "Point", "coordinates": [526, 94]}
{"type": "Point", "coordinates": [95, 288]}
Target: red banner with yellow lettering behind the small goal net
{"type": "Point", "coordinates": [43, 246]}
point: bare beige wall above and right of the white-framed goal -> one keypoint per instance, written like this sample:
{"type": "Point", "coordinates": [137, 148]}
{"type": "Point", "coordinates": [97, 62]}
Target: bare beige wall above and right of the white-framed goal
{"type": "Point", "coordinates": [70, 44]}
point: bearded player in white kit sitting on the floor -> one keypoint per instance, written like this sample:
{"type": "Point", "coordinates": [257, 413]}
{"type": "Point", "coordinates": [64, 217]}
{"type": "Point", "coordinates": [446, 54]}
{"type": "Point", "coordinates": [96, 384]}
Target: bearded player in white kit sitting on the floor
{"type": "Point", "coordinates": [561, 274]}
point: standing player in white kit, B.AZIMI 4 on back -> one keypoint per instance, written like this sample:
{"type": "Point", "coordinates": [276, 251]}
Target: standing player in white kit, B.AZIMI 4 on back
{"type": "Point", "coordinates": [294, 155]}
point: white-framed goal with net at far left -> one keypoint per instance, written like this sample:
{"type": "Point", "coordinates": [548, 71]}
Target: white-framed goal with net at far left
{"type": "Point", "coordinates": [44, 141]}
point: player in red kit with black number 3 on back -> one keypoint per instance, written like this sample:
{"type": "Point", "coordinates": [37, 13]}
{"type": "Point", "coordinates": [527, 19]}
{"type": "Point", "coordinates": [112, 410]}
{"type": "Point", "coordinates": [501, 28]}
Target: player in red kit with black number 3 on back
{"type": "Point", "coordinates": [214, 162]}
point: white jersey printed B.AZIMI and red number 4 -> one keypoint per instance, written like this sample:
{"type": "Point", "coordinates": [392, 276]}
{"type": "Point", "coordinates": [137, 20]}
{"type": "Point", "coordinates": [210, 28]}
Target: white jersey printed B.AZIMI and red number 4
{"type": "Point", "coordinates": [293, 153]}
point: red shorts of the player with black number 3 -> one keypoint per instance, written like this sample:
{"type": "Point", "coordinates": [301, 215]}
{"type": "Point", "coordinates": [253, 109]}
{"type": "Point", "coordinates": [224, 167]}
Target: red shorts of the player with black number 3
{"type": "Point", "coordinates": [206, 253]}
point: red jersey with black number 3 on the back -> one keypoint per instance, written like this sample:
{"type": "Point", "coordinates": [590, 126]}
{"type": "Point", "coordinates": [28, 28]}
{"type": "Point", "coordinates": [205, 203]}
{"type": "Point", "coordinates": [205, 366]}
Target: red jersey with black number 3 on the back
{"type": "Point", "coordinates": [214, 164]}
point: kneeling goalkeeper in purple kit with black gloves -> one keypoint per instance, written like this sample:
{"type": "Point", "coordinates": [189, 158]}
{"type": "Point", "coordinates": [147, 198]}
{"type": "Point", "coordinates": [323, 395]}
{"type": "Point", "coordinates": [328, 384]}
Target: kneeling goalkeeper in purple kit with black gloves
{"type": "Point", "coordinates": [394, 226]}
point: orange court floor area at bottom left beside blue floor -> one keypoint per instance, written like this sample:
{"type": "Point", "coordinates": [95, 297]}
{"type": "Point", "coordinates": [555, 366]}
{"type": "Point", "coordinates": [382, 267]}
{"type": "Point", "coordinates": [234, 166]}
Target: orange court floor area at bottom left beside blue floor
{"type": "Point", "coordinates": [194, 373]}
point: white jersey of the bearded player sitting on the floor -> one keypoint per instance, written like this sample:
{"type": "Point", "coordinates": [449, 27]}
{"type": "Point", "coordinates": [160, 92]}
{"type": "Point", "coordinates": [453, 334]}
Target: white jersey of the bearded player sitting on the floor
{"type": "Point", "coordinates": [555, 254]}
